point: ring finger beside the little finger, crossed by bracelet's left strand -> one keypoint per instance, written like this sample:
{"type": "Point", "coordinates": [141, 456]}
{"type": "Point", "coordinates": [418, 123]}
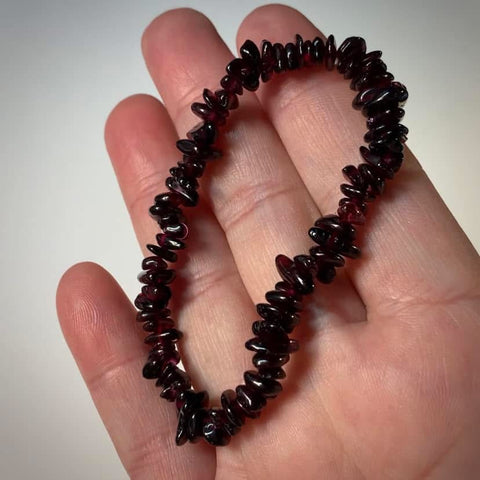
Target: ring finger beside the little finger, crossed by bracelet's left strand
{"type": "Point", "coordinates": [141, 142]}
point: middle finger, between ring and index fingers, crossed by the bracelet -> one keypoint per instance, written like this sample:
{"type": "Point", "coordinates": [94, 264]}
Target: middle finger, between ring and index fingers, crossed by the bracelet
{"type": "Point", "coordinates": [256, 193]}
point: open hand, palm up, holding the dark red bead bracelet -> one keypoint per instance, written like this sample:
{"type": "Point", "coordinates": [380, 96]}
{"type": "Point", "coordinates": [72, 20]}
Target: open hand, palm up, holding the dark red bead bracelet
{"type": "Point", "coordinates": [386, 383]}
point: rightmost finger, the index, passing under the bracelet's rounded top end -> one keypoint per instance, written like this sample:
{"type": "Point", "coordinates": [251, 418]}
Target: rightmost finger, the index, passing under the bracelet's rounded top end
{"type": "Point", "coordinates": [413, 248]}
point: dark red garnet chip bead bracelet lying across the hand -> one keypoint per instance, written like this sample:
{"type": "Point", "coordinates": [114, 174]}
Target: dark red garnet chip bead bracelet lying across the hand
{"type": "Point", "coordinates": [380, 100]}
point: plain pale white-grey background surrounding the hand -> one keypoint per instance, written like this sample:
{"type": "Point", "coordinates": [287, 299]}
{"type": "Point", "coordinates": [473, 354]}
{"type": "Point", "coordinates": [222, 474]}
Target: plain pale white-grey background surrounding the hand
{"type": "Point", "coordinates": [64, 65]}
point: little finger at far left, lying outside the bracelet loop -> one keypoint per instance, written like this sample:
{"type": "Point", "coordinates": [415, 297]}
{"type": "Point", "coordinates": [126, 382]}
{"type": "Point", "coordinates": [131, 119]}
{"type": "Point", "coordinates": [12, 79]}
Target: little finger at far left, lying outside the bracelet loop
{"type": "Point", "coordinates": [97, 321]}
